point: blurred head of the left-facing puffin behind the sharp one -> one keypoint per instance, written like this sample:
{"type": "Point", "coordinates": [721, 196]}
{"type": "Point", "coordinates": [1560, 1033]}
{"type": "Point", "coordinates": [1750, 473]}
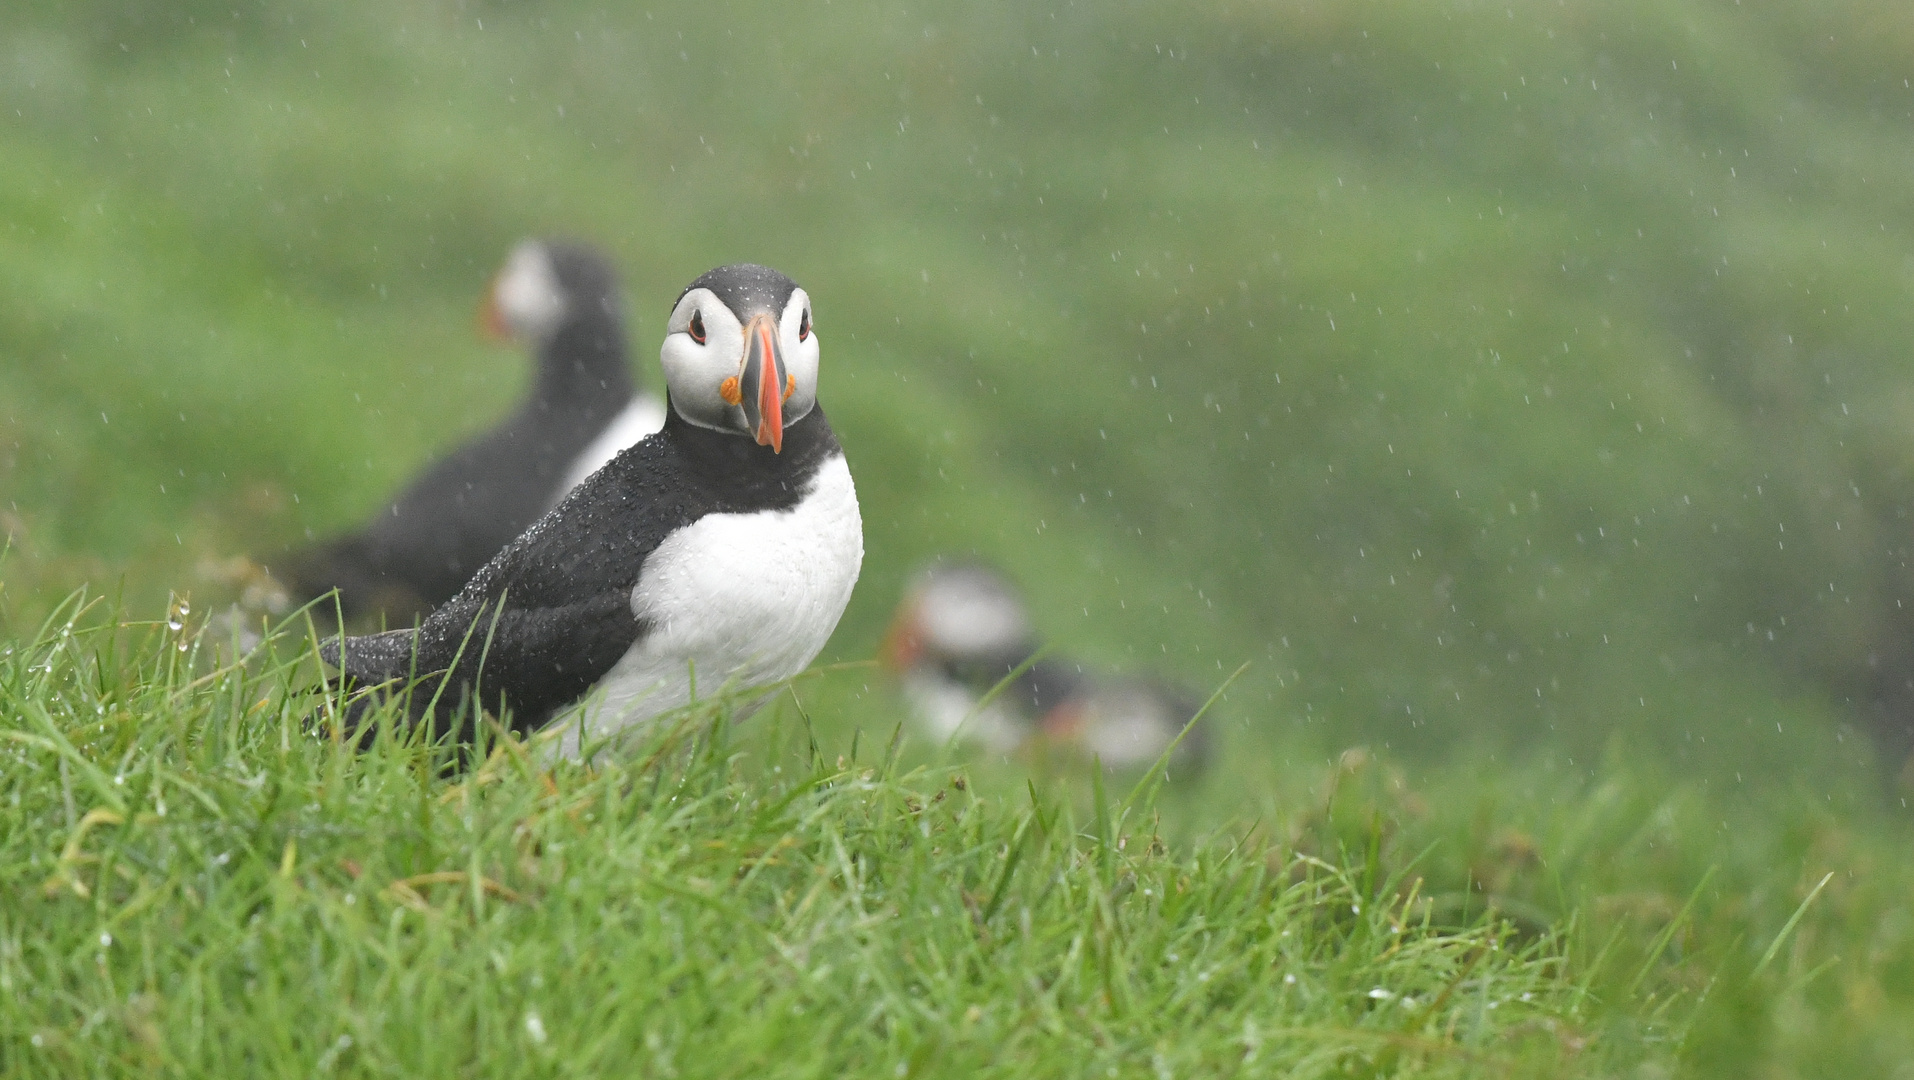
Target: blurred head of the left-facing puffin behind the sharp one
{"type": "Point", "coordinates": [546, 282]}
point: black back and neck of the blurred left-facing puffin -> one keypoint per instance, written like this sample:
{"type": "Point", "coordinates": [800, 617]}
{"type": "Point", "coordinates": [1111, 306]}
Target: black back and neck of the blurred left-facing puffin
{"type": "Point", "coordinates": [464, 508]}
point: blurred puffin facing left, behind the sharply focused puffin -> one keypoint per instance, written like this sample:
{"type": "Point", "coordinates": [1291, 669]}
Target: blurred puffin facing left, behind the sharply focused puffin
{"type": "Point", "coordinates": [426, 543]}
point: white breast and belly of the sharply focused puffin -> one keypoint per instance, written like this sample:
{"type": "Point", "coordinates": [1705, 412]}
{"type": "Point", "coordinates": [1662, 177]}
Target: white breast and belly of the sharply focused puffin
{"type": "Point", "coordinates": [736, 596]}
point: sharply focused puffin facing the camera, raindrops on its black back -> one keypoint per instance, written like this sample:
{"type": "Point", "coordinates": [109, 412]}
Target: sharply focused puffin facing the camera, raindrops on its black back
{"type": "Point", "coordinates": [717, 552]}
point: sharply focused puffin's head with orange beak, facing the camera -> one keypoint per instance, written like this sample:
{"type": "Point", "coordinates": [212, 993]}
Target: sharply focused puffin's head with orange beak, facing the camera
{"type": "Point", "coordinates": [740, 353]}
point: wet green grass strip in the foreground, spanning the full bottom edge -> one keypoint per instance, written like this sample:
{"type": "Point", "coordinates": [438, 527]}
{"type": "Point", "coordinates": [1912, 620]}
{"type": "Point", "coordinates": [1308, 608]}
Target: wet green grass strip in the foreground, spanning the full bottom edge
{"type": "Point", "coordinates": [198, 880]}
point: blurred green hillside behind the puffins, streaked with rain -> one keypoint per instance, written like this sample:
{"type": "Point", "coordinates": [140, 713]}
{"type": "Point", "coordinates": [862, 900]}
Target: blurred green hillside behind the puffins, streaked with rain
{"type": "Point", "coordinates": [1519, 374]}
